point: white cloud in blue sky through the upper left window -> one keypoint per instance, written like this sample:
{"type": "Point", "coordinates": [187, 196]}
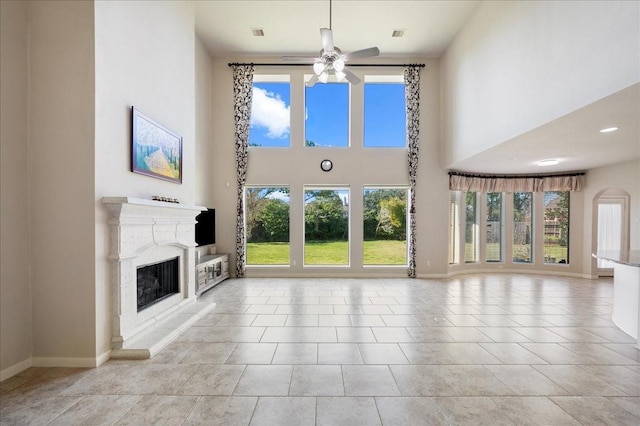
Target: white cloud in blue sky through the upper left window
{"type": "Point", "coordinates": [269, 111]}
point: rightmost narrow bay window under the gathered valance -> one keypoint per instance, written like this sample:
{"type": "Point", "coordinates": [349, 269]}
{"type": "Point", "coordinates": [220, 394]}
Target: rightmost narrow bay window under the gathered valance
{"type": "Point", "coordinates": [556, 227]}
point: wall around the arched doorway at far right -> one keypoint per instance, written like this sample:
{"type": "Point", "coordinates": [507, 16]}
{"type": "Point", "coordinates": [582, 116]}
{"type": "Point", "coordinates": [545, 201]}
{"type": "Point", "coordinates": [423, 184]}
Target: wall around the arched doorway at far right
{"type": "Point", "coordinates": [625, 177]}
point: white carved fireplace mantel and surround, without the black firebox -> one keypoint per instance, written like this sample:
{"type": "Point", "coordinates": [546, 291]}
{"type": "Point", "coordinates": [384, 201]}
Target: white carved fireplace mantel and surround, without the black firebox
{"type": "Point", "coordinates": [146, 232]}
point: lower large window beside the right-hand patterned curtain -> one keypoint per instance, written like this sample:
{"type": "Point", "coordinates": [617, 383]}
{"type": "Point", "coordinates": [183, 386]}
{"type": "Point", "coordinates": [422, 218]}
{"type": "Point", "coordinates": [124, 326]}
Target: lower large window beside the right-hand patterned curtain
{"type": "Point", "coordinates": [385, 226]}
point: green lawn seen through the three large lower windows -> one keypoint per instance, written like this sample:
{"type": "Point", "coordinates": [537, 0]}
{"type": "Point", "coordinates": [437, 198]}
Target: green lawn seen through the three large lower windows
{"type": "Point", "coordinates": [379, 252]}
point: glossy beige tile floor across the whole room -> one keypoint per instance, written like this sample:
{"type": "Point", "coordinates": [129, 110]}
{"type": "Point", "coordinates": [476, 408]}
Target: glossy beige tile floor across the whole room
{"type": "Point", "coordinates": [481, 349]}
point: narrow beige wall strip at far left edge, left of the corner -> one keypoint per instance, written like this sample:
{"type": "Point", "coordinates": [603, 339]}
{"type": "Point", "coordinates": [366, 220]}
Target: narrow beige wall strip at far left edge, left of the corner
{"type": "Point", "coordinates": [15, 287]}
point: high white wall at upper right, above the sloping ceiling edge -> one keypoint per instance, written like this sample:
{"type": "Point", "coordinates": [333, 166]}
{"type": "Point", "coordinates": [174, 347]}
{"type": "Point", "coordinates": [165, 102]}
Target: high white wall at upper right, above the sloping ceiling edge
{"type": "Point", "coordinates": [517, 65]}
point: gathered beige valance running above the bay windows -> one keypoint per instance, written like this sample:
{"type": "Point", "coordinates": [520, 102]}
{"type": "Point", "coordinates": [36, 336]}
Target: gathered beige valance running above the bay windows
{"type": "Point", "coordinates": [515, 183]}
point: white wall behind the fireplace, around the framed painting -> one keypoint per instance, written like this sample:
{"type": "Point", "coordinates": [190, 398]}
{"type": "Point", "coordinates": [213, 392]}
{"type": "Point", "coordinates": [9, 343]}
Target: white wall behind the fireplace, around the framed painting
{"type": "Point", "coordinates": [145, 57]}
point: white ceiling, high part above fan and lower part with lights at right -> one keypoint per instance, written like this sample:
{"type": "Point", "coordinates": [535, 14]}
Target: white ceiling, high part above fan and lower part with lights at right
{"type": "Point", "coordinates": [291, 27]}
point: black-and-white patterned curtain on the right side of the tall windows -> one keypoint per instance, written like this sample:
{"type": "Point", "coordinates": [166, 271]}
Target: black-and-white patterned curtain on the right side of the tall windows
{"type": "Point", "coordinates": [412, 101]}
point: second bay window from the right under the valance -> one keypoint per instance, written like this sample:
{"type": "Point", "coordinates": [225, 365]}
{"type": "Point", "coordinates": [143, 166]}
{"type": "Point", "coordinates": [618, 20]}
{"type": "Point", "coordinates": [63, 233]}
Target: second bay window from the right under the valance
{"type": "Point", "coordinates": [522, 227]}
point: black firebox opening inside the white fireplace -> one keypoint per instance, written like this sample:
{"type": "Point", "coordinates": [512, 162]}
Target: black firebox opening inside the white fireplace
{"type": "Point", "coordinates": [157, 282]}
